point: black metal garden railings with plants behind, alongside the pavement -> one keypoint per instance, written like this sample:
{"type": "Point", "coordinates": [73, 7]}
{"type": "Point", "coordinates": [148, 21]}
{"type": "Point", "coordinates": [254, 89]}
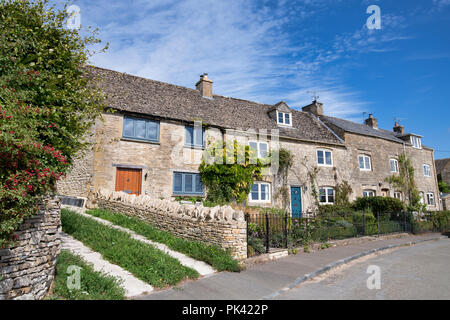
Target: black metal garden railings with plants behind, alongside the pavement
{"type": "Point", "coordinates": [272, 230]}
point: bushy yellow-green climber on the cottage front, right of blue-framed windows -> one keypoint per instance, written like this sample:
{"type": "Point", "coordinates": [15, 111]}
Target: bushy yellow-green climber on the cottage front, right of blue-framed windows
{"type": "Point", "coordinates": [228, 172]}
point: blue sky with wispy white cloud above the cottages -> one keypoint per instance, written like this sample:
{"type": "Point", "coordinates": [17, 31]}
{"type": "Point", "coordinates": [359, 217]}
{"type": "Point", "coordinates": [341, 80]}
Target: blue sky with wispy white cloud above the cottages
{"type": "Point", "coordinates": [268, 51]}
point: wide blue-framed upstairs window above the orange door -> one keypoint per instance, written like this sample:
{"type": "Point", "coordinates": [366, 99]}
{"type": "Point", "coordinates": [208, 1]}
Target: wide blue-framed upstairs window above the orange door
{"type": "Point", "coordinates": [141, 129]}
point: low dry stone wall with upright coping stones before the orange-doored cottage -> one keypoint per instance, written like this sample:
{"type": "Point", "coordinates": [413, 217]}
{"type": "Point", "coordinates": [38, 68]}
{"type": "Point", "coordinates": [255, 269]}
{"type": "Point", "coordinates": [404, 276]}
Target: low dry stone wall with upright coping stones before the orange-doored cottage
{"type": "Point", "coordinates": [219, 225]}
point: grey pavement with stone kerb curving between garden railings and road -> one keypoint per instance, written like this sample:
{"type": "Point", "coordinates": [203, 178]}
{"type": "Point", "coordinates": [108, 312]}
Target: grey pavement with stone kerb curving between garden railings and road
{"type": "Point", "coordinates": [273, 279]}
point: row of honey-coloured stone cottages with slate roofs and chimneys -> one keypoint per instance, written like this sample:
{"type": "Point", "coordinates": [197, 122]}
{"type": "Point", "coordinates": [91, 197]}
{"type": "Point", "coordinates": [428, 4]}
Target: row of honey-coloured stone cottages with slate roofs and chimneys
{"type": "Point", "coordinates": [150, 145]}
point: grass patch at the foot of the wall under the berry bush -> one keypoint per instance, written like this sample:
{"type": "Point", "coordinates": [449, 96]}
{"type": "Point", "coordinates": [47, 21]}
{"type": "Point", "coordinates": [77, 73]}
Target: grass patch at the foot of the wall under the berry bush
{"type": "Point", "coordinates": [94, 285]}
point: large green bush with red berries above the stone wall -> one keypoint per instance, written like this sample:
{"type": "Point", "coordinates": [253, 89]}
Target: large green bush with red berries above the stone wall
{"type": "Point", "coordinates": [46, 105]}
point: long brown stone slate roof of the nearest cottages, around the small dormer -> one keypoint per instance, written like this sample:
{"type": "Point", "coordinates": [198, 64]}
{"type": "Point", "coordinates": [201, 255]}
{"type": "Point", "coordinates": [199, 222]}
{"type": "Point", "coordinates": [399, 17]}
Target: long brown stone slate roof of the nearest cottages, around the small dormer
{"type": "Point", "coordinates": [134, 94]}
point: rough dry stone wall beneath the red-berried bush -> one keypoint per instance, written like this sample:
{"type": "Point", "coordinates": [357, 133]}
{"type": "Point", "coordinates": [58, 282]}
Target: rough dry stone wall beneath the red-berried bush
{"type": "Point", "coordinates": [27, 270]}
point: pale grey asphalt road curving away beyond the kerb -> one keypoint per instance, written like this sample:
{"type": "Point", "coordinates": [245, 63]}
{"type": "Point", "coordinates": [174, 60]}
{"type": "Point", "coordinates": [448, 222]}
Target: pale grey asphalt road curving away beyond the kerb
{"type": "Point", "coordinates": [417, 272]}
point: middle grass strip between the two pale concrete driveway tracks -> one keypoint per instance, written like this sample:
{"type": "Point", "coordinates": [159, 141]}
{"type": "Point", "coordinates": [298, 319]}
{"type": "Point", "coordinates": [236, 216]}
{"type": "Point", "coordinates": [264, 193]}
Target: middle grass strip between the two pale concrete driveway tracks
{"type": "Point", "coordinates": [142, 260]}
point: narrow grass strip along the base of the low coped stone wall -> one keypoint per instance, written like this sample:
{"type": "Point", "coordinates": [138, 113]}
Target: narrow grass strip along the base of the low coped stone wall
{"type": "Point", "coordinates": [218, 258]}
